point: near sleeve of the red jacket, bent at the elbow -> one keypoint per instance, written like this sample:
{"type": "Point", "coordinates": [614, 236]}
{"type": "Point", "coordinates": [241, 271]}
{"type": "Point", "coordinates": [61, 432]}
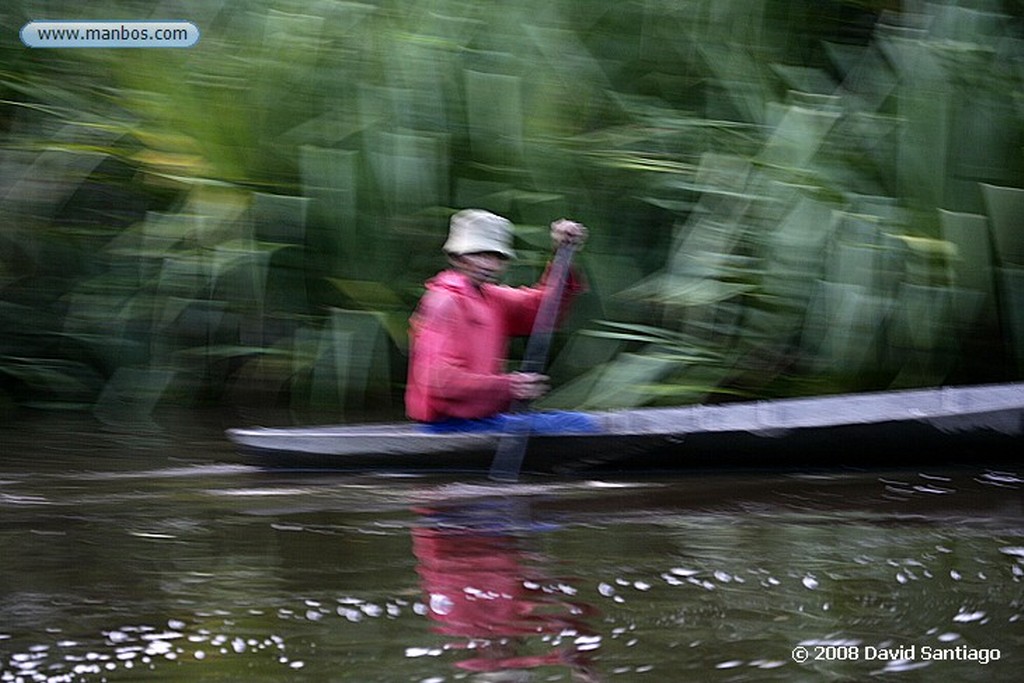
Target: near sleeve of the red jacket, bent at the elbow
{"type": "Point", "coordinates": [442, 369]}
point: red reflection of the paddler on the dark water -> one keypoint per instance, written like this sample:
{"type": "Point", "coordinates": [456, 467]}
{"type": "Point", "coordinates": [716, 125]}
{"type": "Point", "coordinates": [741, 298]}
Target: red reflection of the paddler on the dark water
{"type": "Point", "coordinates": [476, 575]}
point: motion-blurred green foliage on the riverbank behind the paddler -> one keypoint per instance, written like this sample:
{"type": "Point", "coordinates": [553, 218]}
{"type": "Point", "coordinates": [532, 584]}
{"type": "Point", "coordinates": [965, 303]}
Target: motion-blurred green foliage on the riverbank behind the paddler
{"type": "Point", "coordinates": [785, 197]}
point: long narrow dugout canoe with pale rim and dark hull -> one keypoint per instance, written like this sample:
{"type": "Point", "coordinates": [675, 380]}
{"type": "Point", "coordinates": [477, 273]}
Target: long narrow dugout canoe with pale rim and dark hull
{"type": "Point", "coordinates": [972, 425]}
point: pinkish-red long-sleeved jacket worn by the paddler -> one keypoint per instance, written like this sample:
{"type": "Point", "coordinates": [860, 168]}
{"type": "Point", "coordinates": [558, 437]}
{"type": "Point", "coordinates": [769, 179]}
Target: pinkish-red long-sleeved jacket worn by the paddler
{"type": "Point", "coordinates": [459, 339]}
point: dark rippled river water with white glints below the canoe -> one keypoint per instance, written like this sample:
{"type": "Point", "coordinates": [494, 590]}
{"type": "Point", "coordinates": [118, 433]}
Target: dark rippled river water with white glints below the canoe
{"type": "Point", "coordinates": [156, 558]}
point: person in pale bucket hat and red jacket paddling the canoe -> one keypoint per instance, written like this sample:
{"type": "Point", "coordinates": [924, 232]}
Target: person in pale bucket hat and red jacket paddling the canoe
{"type": "Point", "coordinates": [459, 335]}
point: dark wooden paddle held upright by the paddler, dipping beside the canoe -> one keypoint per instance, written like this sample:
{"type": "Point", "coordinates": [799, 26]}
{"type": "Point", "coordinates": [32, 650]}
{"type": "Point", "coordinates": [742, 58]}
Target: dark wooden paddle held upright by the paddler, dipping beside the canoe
{"type": "Point", "coordinates": [513, 447]}
